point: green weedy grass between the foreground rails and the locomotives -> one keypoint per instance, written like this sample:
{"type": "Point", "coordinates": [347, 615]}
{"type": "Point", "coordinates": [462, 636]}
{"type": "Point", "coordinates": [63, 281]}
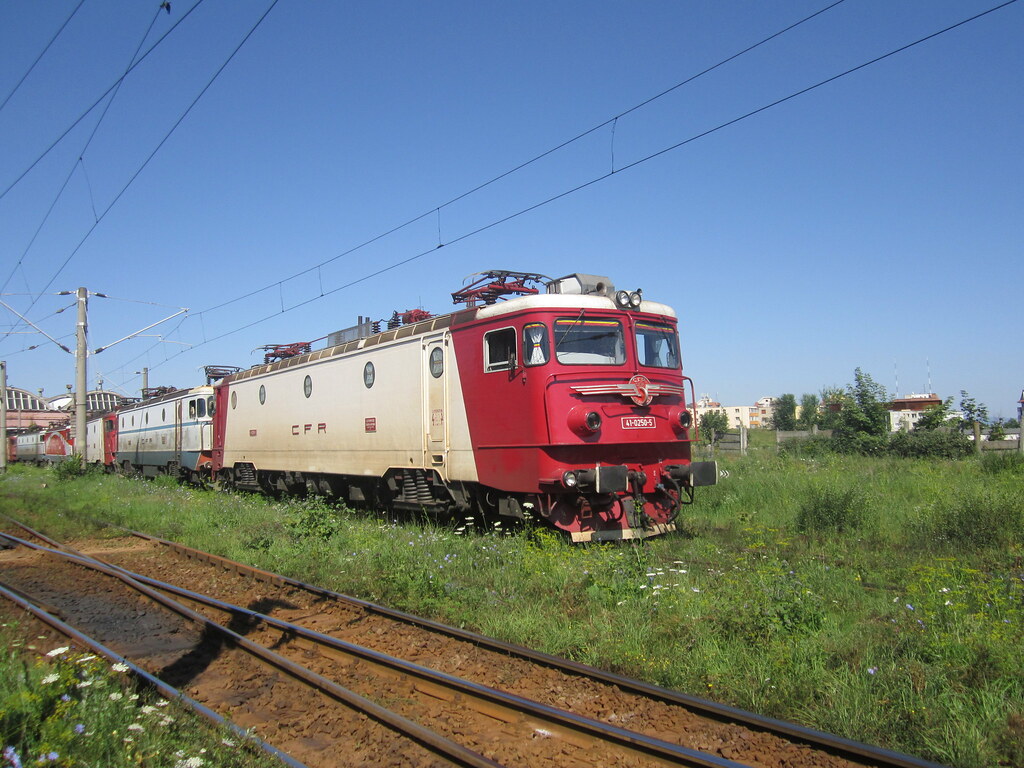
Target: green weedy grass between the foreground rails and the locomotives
{"type": "Point", "coordinates": [882, 601]}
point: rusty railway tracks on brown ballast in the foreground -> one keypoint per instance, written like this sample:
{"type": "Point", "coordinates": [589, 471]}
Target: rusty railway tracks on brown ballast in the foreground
{"type": "Point", "coordinates": [488, 702]}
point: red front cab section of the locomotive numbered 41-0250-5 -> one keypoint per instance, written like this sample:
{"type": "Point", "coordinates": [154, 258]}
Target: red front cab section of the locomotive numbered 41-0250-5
{"type": "Point", "coordinates": [576, 403]}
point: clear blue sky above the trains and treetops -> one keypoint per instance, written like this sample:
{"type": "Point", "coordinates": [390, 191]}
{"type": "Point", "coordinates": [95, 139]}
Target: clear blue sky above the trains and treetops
{"type": "Point", "coordinates": [875, 223]}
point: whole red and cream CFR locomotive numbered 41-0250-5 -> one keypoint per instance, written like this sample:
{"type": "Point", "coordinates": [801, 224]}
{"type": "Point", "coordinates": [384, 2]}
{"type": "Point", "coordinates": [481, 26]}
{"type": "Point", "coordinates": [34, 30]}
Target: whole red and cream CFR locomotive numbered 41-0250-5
{"type": "Point", "coordinates": [568, 406]}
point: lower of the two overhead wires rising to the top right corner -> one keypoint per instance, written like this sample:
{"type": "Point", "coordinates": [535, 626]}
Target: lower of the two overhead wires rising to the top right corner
{"type": "Point", "coordinates": [598, 180]}
